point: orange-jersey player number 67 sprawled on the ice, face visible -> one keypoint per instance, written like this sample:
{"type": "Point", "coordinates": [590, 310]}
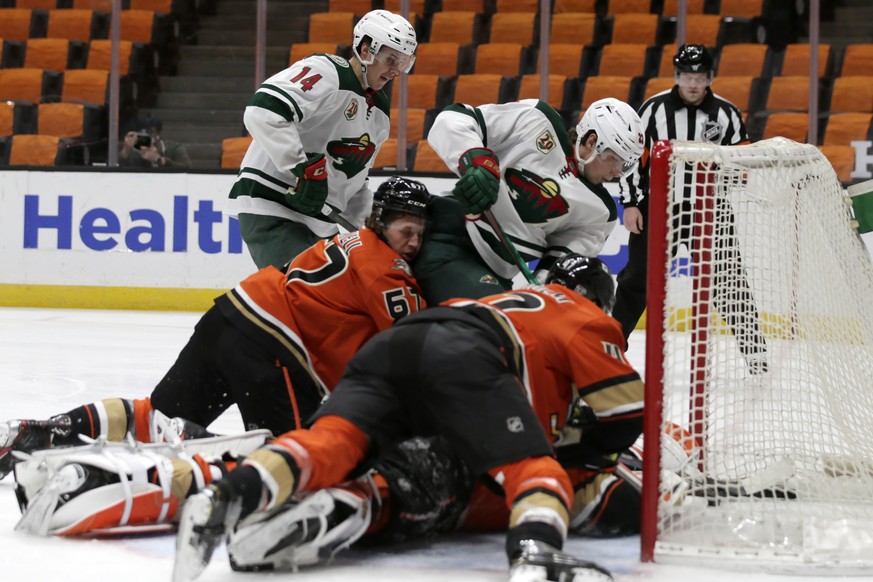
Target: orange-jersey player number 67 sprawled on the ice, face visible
{"type": "Point", "coordinates": [275, 345]}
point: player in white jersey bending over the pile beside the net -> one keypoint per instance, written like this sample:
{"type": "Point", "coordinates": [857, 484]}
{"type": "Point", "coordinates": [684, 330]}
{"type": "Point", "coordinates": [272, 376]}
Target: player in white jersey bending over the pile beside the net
{"type": "Point", "coordinates": [543, 184]}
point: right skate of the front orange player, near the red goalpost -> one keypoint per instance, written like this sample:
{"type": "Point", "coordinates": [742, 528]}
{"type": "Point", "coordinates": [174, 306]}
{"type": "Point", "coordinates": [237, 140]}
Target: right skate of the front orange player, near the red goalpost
{"type": "Point", "coordinates": [537, 561]}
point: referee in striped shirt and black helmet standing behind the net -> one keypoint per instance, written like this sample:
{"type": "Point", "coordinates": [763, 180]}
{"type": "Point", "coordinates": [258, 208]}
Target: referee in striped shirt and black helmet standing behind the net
{"type": "Point", "coordinates": [688, 111]}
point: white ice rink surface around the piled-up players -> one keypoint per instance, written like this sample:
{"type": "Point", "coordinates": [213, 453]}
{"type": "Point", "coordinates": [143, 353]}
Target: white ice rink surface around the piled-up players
{"type": "Point", "coordinates": [54, 360]}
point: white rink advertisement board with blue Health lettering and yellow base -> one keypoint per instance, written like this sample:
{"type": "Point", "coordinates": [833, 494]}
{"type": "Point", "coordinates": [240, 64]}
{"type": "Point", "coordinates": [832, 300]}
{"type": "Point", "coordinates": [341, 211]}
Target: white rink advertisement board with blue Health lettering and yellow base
{"type": "Point", "coordinates": [104, 239]}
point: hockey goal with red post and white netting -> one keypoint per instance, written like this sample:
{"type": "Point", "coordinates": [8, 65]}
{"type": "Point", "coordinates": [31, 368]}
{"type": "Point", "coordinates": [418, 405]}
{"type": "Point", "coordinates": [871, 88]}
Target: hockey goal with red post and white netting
{"type": "Point", "coordinates": [759, 366]}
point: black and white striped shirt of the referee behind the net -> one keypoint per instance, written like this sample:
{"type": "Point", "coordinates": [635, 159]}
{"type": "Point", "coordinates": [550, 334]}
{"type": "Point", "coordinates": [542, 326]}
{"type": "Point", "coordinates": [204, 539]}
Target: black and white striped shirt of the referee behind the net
{"type": "Point", "coordinates": [666, 116]}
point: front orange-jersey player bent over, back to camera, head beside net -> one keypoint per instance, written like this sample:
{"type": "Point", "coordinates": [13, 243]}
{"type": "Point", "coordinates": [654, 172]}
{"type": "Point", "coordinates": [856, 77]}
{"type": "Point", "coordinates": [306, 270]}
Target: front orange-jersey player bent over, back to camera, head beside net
{"type": "Point", "coordinates": [528, 355]}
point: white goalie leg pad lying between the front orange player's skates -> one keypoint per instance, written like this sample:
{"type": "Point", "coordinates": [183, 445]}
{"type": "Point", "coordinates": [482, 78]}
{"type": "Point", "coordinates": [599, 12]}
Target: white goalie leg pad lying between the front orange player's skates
{"type": "Point", "coordinates": [303, 533]}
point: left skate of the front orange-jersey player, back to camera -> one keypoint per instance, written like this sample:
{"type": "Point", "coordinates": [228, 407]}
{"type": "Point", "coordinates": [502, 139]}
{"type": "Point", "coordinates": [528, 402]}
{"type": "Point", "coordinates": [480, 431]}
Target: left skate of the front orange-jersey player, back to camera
{"type": "Point", "coordinates": [206, 519]}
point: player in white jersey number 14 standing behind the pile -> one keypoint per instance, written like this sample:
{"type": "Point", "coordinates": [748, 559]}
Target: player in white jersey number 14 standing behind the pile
{"type": "Point", "coordinates": [317, 127]}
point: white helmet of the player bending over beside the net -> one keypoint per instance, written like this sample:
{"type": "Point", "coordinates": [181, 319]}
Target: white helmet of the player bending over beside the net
{"type": "Point", "coordinates": [618, 128]}
